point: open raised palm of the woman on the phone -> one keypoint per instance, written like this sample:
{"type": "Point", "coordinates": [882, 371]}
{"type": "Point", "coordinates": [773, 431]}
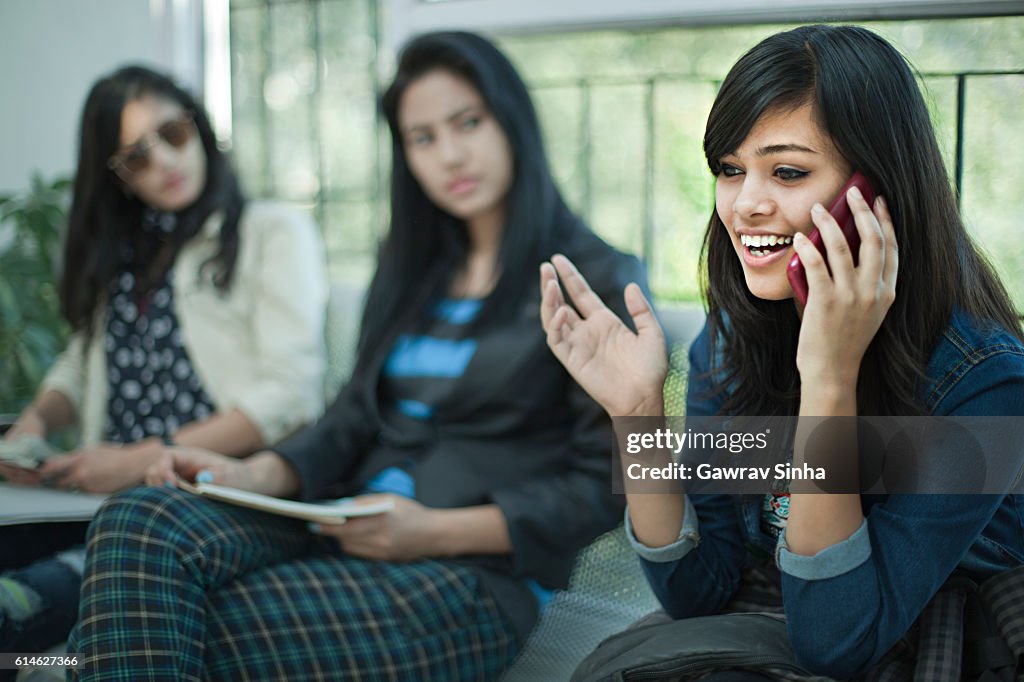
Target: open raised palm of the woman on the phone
{"type": "Point", "coordinates": [623, 371]}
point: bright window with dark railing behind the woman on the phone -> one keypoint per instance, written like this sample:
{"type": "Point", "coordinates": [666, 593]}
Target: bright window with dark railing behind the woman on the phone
{"type": "Point", "coordinates": [625, 112]}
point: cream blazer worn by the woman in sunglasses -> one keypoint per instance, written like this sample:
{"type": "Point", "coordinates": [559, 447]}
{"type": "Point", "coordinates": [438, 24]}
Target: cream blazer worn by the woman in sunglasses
{"type": "Point", "coordinates": [259, 348]}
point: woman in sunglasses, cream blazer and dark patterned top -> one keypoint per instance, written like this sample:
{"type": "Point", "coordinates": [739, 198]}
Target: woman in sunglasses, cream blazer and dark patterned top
{"type": "Point", "coordinates": [197, 318]}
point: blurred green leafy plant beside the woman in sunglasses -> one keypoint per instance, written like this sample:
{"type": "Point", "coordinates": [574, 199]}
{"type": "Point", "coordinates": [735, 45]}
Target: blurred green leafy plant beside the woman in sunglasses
{"type": "Point", "coordinates": [32, 329]}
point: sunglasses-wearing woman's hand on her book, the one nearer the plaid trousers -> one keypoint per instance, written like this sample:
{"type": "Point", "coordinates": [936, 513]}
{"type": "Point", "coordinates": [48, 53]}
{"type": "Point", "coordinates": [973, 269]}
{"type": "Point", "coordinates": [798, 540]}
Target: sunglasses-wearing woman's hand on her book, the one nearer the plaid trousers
{"type": "Point", "coordinates": [102, 468]}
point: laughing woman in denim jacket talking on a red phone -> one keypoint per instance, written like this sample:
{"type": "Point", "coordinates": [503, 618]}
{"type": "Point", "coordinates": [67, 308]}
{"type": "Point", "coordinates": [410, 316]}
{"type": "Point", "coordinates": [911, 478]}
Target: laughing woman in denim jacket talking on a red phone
{"type": "Point", "coordinates": [919, 326]}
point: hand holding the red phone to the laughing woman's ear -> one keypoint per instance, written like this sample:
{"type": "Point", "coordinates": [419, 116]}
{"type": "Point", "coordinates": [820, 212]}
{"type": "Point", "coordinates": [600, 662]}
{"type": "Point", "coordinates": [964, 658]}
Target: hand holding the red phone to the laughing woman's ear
{"type": "Point", "coordinates": [845, 310]}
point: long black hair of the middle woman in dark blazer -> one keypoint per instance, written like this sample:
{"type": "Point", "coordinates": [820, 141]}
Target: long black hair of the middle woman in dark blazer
{"type": "Point", "coordinates": [425, 246]}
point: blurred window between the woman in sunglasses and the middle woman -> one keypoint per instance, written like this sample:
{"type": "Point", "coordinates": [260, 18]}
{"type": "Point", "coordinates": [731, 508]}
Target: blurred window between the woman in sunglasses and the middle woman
{"type": "Point", "coordinates": [304, 96]}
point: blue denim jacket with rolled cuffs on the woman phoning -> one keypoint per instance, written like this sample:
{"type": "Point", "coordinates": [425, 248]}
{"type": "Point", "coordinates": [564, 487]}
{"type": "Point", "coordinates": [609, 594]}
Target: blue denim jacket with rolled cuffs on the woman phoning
{"type": "Point", "coordinates": [850, 604]}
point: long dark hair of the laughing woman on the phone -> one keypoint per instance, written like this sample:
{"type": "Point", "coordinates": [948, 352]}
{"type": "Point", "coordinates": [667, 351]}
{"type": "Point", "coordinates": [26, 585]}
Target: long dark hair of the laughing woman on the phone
{"type": "Point", "coordinates": [866, 98]}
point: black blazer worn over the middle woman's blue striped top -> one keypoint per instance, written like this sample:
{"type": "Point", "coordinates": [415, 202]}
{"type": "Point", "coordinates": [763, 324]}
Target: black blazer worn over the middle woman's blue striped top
{"type": "Point", "coordinates": [518, 433]}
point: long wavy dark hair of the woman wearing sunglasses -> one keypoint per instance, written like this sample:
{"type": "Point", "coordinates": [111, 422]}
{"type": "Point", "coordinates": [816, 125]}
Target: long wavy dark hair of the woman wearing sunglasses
{"type": "Point", "coordinates": [105, 219]}
